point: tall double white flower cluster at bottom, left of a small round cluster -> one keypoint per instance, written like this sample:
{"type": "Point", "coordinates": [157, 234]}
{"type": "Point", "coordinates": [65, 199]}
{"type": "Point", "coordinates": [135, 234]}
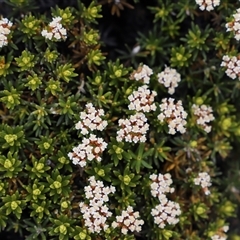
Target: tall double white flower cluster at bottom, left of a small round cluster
{"type": "Point", "coordinates": [95, 213]}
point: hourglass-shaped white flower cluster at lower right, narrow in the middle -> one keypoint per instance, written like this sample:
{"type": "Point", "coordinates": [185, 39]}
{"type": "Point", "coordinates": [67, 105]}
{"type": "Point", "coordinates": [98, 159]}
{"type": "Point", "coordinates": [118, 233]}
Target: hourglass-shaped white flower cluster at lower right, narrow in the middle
{"type": "Point", "coordinates": [167, 211]}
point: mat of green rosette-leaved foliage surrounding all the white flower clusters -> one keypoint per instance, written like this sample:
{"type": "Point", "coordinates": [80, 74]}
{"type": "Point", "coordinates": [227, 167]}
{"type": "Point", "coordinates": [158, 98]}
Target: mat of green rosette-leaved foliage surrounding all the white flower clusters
{"type": "Point", "coordinates": [44, 85]}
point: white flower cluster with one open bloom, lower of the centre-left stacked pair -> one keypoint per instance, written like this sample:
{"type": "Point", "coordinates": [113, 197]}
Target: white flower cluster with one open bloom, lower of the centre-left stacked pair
{"type": "Point", "coordinates": [90, 148]}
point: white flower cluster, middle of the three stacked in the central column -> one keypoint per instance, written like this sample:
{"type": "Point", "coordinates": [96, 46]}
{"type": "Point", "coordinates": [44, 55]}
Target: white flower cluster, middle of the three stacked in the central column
{"type": "Point", "coordinates": [142, 100]}
